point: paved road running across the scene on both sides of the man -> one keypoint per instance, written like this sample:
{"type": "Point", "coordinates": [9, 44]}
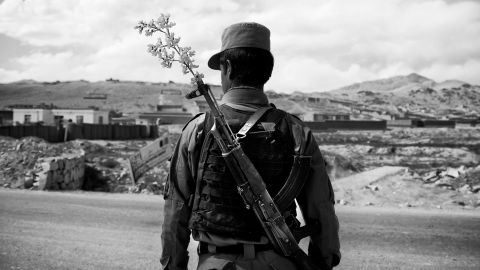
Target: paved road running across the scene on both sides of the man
{"type": "Point", "coordinates": [46, 230]}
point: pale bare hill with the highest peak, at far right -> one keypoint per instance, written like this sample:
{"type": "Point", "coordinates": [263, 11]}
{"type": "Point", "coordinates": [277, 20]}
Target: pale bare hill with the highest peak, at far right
{"type": "Point", "coordinates": [414, 93]}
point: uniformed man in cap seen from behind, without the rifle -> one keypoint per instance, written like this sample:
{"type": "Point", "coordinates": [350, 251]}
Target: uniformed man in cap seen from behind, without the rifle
{"type": "Point", "coordinates": [201, 196]}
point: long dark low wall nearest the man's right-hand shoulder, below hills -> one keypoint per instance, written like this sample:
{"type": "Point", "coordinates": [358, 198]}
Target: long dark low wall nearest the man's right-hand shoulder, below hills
{"type": "Point", "coordinates": [347, 125]}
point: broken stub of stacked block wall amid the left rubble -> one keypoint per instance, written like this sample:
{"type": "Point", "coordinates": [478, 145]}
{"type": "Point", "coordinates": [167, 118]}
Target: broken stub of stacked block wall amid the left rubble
{"type": "Point", "coordinates": [65, 172]}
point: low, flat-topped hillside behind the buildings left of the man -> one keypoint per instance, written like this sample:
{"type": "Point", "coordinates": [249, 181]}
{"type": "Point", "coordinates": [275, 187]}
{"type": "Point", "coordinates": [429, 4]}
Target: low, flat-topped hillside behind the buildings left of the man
{"type": "Point", "coordinates": [124, 96]}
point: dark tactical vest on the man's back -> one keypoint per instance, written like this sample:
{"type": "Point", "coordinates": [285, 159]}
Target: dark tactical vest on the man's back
{"type": "Point", "coordinates": [217, 207]}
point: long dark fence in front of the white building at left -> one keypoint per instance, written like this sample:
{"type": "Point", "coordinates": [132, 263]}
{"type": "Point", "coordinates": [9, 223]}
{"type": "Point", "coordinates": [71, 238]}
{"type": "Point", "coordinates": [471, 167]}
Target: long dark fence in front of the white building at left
{"type": "Point", "coordinates": [85, 131]}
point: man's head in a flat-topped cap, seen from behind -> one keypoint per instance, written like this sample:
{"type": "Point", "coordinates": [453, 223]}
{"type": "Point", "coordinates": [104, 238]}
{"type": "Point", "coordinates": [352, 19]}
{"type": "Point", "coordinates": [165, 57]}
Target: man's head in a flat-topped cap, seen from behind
{"type": "Point", "coordinates": [245, 58]}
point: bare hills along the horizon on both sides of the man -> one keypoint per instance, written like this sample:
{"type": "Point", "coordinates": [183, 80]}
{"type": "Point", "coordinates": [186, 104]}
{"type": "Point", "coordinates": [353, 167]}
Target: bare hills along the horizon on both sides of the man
{"type": "Point", "coordinates": [397, 95]}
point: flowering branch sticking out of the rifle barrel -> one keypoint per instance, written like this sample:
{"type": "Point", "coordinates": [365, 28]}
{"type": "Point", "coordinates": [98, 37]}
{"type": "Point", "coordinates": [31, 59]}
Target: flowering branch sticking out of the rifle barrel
{"type": "Point", "coordinates": [167, 48]}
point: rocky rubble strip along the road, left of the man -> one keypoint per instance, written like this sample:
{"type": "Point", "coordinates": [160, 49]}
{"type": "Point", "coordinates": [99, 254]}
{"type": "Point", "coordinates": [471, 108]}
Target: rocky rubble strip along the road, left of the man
{"type": "Point", "coordinates": [32, 163]}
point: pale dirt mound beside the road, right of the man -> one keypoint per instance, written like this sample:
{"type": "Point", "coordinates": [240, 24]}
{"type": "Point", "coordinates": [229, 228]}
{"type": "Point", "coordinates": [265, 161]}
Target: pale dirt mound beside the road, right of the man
{"type": "Point", "coordinates": [449, 188]}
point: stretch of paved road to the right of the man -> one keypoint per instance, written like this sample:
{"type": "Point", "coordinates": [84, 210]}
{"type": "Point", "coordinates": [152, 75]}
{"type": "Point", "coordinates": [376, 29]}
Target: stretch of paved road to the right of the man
{"type": "Point", "coordinates": [409, 239]}
